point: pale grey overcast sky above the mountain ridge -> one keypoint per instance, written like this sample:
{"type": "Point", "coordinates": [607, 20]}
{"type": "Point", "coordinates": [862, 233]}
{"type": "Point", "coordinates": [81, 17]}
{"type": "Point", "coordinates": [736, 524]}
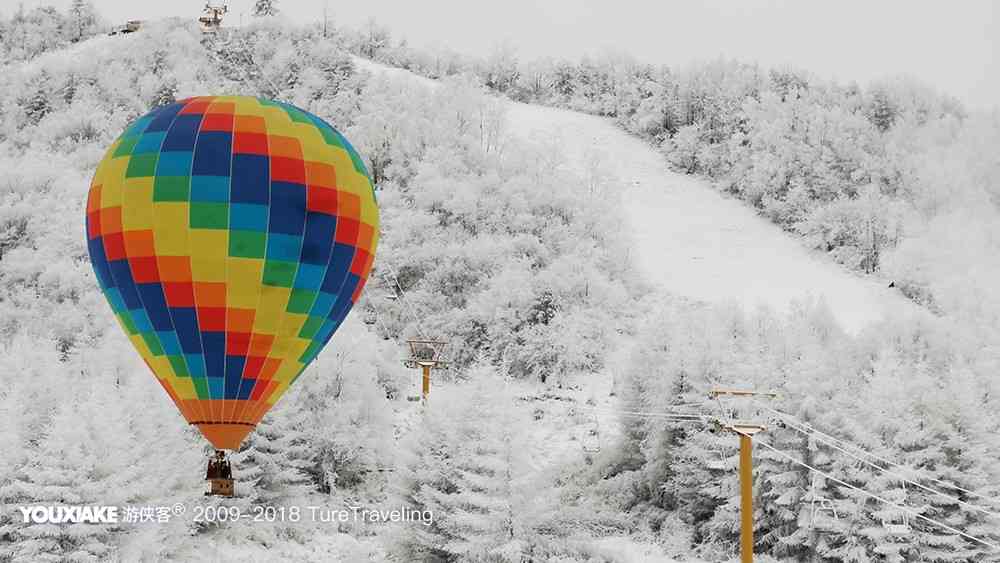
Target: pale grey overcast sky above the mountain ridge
{"type": "Point", "coordinates": [951, 45]}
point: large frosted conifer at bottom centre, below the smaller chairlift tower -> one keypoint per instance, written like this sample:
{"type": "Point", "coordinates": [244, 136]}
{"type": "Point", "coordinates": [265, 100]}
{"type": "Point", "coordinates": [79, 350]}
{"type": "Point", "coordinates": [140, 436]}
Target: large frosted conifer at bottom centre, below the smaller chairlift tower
{"type": "Point", "coordinates": [464, 468]}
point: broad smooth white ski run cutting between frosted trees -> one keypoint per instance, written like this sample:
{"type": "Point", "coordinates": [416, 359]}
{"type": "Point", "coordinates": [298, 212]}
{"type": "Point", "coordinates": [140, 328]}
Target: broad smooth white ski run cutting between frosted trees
{"type": "Point", "coordinates": [692, 241]}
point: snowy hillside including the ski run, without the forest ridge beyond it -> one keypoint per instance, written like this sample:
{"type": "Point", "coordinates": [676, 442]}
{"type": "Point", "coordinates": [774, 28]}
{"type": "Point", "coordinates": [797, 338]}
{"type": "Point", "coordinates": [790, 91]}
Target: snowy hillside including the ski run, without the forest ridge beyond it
{"type": "Point", "coordinates": [590, 296]}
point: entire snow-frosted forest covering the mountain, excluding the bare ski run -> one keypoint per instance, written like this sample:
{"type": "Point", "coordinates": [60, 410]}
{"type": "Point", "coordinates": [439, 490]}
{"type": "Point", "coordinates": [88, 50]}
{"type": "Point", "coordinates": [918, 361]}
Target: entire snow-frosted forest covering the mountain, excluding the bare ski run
{"type": "Point", "coordinates": [519, 262]}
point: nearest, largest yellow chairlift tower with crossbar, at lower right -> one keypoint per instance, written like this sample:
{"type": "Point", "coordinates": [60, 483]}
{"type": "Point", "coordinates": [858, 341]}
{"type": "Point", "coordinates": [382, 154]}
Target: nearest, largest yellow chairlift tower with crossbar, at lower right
{"type": "Point", "coordinates": [746, 428]}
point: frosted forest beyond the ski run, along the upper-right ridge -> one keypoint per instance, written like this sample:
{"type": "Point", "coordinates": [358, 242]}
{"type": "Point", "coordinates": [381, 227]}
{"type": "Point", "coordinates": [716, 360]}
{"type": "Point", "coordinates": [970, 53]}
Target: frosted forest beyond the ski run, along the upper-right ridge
{"type": "Point", "coordinates": [878, 176]}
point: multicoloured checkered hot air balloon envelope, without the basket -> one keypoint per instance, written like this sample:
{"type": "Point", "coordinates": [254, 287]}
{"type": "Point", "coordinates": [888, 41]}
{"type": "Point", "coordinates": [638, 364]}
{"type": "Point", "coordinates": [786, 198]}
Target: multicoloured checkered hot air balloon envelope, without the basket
{"type": "Point", "coordinates": [231, 236]}
